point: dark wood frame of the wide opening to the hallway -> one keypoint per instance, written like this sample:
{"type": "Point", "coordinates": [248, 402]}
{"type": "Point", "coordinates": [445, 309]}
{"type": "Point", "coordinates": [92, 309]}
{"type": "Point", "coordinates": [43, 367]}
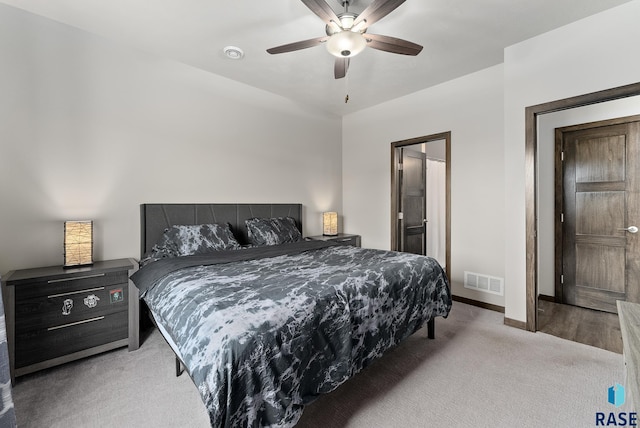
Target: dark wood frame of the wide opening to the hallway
{"type": "Point", "coordinates": [531, 163]}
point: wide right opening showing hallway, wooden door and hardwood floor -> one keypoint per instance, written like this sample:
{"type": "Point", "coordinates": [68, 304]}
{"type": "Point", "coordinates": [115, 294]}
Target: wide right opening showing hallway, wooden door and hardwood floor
{"type": "Point", "coordinates": [587, 186]}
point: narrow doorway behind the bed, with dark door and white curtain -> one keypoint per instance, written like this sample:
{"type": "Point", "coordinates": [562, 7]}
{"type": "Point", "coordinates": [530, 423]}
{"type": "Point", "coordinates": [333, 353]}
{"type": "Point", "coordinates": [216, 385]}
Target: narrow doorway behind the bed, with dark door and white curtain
{"type": "Point", "coordinates": [421, 197]}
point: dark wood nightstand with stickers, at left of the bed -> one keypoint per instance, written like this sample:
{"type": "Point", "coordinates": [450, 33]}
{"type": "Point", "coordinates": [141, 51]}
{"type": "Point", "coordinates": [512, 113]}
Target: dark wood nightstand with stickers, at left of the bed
{"type": "Point", "coordinates": [55, 315]}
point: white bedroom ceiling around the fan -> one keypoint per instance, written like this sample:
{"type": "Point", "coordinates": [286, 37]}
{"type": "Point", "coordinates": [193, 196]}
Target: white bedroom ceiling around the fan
{"type": "Point", "coordinates": [459, 37]}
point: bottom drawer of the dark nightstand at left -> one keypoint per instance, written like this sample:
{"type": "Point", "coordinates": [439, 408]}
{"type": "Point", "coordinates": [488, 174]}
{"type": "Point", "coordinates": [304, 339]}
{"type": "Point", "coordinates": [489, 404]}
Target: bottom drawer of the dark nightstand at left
{"type": "Point", "coordinates": [46, 343]}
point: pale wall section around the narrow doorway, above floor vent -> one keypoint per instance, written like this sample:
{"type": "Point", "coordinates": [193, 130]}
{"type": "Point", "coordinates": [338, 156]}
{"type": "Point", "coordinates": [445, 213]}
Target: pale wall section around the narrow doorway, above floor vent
{"type": "Point", "coordinates": [471, 108]}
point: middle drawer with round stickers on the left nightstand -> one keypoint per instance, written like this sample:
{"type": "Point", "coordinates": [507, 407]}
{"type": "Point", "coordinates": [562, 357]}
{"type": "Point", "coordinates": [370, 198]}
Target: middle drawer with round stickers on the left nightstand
{"type": "Point", "coordinates": [68, 307]}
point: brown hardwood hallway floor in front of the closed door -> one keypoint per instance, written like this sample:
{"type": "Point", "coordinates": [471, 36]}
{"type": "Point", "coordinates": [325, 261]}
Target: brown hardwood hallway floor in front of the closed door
{"type": "Point", "coordinates": [595, 328]}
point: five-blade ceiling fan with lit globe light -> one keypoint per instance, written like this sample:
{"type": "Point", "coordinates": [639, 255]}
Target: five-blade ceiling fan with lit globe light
{"type": "Point", "coordinates": [347, 33]}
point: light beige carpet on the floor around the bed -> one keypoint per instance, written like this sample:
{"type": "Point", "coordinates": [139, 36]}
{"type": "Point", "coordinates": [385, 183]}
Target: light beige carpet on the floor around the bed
{"type": "Point", "coordinates": [477, 372]}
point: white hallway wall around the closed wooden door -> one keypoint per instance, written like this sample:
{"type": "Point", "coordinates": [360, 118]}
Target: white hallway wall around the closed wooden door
{"type": "Point", "coordinates": [547, 123]}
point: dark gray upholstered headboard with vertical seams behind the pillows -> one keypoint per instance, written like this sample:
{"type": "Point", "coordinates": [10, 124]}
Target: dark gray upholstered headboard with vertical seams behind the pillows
{"type": "Point", "coordinates": [155, 218]}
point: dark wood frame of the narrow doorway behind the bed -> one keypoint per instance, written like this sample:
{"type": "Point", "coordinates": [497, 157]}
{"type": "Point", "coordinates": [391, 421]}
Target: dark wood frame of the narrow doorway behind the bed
{"type": "Point", "coordinates": [395, 149]}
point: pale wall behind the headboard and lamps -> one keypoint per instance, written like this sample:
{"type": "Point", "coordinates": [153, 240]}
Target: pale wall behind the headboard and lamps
{"type": "Point", "coordinates": [90, 130]}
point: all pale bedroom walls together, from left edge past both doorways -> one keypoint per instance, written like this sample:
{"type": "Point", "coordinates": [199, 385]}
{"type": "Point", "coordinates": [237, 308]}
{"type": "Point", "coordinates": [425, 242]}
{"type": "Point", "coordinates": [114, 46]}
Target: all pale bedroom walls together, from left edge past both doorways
{"type": "Point", "coordinates": [91, 129]}
